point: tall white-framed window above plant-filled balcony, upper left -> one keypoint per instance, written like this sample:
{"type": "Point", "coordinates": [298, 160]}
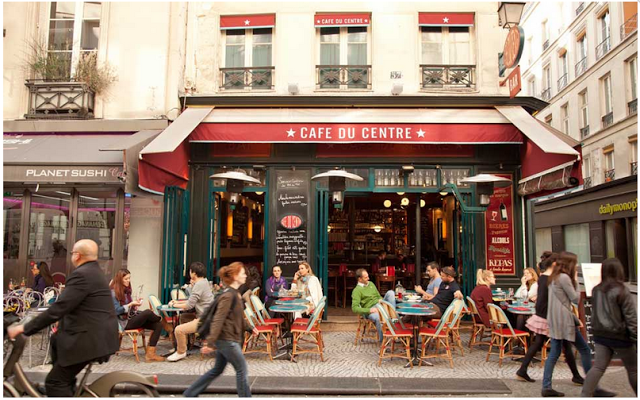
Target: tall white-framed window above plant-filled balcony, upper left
{"type": "Point", "coordinates": [74, 32]}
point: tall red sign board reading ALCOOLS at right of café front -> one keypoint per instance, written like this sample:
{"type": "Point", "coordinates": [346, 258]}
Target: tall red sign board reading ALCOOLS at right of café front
{"type": "Point", "coordinates": [500, 231]}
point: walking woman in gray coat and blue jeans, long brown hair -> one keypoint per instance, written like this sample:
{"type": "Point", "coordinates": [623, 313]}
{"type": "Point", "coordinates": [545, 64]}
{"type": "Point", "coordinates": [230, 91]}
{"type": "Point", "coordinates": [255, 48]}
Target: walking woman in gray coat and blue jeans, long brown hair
{"type": "Point", "coordinates": [563, 324]}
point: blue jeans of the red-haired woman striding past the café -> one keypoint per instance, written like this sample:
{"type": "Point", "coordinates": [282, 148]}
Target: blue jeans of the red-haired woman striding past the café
{"type": "Point", "coordinates": [227, 351]}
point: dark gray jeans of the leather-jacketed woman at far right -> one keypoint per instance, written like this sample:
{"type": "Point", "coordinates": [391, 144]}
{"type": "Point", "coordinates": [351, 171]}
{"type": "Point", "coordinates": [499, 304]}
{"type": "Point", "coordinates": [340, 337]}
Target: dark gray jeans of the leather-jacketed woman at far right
{"type": "Point", "coordinates": [603, 358]}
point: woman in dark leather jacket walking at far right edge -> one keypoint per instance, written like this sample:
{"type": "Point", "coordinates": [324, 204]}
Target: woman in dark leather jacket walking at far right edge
{"type": "Point", "coordinates": [615, 326]}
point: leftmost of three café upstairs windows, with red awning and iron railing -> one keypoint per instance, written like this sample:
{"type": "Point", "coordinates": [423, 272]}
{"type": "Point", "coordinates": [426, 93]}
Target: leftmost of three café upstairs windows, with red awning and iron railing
{"type": "Point", "coordinates": [248, 52]}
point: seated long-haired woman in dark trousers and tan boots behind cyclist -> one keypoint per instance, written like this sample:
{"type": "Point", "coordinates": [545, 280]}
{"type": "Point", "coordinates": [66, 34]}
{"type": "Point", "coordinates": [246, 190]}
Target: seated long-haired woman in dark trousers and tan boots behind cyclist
{"type": "Point", "coordinates": [129, 317]}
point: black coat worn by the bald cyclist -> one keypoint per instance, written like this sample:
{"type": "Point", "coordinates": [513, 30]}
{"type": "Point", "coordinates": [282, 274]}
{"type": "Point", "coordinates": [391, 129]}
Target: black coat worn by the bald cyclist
{"type": "Point", "coordinates": [88, 327]}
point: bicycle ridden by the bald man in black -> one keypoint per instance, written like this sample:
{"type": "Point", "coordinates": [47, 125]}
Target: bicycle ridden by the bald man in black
{"type": "Point", "coordinates": [16, 384]}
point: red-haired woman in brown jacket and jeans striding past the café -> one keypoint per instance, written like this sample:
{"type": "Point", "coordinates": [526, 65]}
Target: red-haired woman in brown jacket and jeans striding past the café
{"type": "Point", "coordinates": [227, 331]}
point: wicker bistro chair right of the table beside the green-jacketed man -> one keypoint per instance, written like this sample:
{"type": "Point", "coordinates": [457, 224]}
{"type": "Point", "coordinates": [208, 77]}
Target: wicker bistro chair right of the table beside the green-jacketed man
{"type": "Point", "coordinates": [440, 334]}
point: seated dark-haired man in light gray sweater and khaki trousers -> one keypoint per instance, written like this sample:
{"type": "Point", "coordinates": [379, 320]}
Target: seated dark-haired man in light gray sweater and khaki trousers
{"type": "Point", "coordinates": [200, 298]}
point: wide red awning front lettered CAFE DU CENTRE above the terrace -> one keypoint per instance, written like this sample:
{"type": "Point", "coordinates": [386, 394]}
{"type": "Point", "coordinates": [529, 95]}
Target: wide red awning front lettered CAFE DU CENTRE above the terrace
{"type": "Point", "coordinates": [338, 133]}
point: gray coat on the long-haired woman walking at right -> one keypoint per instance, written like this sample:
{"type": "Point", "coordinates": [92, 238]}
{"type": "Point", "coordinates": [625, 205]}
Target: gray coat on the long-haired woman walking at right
{"type": "Point", "coordinates": [560, 317]}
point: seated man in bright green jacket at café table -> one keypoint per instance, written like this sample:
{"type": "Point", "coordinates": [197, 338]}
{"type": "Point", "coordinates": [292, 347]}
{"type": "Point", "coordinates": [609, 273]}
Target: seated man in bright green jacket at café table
{"type": "Point", "coordinates": [365, 296]}
